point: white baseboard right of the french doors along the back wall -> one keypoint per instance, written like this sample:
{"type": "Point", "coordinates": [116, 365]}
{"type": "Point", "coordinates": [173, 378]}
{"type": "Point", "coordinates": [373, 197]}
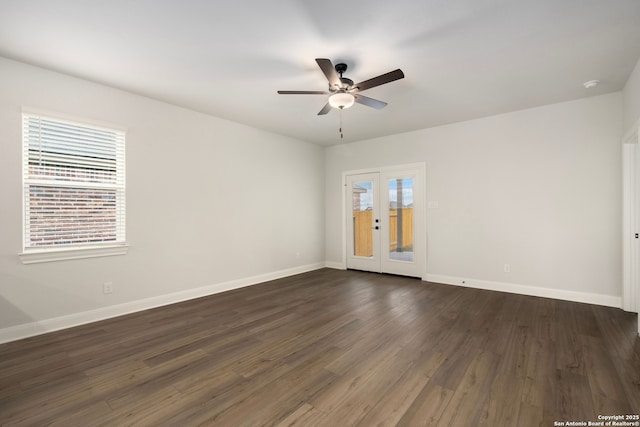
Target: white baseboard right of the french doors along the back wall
{"type": "Point", "coordinates": [584, 297]}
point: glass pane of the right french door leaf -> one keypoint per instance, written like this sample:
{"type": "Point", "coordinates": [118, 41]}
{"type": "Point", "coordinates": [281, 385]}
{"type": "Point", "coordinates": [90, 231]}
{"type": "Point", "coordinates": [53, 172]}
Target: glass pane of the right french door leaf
{"type": "Point", "coordinates": [401, 219]}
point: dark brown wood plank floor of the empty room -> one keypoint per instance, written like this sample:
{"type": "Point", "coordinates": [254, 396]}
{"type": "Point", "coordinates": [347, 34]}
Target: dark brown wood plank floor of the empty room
{"type": "Point", "coordinates": [332, 348]}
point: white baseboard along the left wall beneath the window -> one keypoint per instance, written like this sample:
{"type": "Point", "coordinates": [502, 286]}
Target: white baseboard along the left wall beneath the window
{"type": "Point", "coordinates": [26, 330]}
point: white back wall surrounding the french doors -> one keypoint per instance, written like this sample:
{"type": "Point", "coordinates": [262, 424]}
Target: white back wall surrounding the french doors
{"type": "Point", "coordinates": [538, 189]}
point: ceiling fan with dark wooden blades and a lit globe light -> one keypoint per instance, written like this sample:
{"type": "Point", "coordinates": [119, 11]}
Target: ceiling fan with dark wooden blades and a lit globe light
{"type": "Point", "coordinates": [343, 91]}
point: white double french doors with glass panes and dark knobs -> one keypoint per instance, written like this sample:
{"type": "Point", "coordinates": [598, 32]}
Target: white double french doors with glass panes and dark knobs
{"type": "Point", "coordinates": [384, 214]}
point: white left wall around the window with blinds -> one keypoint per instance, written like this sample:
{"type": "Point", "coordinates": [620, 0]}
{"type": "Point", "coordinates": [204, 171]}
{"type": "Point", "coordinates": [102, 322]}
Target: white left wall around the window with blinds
{"type": "Point", "coordinates": [210, 203]}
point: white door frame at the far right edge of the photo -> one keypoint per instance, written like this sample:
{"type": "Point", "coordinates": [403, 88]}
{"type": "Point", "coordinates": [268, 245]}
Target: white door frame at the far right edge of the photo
{"type": "Point", "coordinates": [630, 221]}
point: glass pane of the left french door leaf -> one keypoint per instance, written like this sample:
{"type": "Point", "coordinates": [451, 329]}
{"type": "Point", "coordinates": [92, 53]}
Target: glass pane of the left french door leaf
{"type": "Point", "coordinates": [362, 201]}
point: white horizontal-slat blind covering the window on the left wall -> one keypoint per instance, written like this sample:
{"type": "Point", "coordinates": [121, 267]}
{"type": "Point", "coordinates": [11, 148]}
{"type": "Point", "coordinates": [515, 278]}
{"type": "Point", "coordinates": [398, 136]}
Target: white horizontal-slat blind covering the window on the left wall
{"type": "Point", "coordinates": [74, 184]}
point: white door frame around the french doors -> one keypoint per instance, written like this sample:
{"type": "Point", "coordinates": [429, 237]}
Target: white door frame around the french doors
{"type": "Point", "coordinates": [420, 220]}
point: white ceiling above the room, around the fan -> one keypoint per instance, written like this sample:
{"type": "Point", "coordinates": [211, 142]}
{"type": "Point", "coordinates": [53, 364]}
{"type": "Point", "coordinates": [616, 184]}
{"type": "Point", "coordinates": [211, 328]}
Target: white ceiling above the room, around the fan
{"type": "Point", "coordinates": [463, 59]}
